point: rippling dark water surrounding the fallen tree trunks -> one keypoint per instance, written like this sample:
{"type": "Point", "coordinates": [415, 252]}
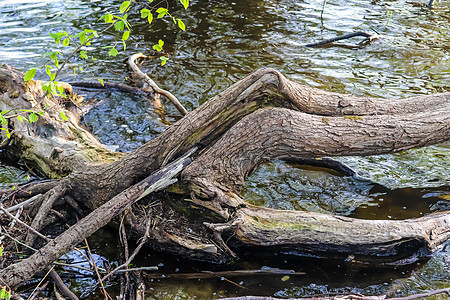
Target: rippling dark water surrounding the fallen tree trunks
{"type": "Point", "coordinates": [224, 41]}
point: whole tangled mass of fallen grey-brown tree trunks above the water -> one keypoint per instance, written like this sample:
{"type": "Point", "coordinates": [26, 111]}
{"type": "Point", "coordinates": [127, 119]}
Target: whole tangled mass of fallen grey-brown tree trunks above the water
{"type": "Point", "coordinates": [263, 117]}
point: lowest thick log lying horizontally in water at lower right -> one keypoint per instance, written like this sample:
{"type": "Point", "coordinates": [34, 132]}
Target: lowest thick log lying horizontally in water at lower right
{"type": "Point", "coordinates": [373, 241]}
